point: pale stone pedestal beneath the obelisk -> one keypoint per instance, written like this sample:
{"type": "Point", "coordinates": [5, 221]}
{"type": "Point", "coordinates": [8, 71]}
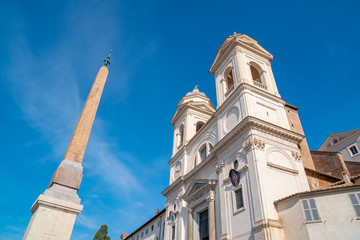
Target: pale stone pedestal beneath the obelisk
{"type": "Point", "coordinates": [54, 214]}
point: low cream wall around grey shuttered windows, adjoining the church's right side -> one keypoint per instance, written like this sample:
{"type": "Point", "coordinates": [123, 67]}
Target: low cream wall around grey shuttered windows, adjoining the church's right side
{"type": "Point", "coordinates": [338, 218]}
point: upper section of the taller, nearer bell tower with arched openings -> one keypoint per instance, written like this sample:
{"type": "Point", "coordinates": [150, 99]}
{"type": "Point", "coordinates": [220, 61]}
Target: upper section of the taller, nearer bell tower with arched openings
{"type": "Point", "coordinates": [242, 69]}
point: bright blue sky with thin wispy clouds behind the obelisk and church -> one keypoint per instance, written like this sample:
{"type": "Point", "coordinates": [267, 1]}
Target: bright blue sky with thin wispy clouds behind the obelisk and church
{"type": "Point", "coordinates": [52, 50]}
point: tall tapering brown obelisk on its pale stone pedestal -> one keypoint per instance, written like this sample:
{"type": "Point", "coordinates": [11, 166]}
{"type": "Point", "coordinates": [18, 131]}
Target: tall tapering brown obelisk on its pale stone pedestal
{"type": "Point", "coordinates": [54, 211]}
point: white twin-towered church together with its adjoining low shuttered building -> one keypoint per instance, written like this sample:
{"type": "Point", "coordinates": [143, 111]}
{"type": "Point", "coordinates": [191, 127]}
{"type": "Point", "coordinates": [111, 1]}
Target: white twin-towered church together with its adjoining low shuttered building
{"type": "Point", "coordinates": [244, 169]}
